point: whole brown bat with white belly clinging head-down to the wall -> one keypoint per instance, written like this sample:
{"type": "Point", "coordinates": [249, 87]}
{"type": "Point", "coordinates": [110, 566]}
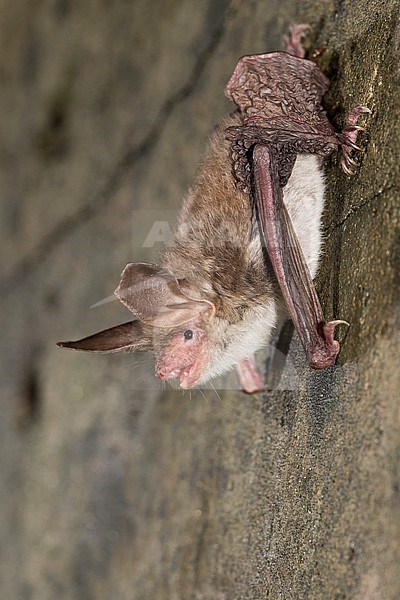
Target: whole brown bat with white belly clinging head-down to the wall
{"type": "Point", "coordinates": [216, 295]}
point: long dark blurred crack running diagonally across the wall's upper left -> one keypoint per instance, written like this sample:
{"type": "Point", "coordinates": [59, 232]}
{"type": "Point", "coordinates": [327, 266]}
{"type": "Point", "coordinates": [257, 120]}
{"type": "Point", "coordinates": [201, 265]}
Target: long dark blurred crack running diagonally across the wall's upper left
{"type": "Point", "coordinates": [65, 228]}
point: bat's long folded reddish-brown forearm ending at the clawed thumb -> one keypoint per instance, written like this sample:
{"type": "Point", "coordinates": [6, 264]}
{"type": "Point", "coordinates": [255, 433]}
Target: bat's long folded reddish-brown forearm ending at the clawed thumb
{"type": "Point", "coordinates": [289, 264]}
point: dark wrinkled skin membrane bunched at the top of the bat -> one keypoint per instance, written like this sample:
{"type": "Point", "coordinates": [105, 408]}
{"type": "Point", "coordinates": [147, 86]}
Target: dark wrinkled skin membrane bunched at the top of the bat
{"type": "Point", "coordinates": [279, 98]}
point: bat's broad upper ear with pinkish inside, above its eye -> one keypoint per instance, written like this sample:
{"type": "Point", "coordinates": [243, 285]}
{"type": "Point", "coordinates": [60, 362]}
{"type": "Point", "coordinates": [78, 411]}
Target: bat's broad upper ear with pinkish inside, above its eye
{"type": "Point", "coordinates": [155, 296]}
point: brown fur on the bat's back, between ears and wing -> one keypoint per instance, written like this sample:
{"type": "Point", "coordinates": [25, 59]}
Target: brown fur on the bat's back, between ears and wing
{"type": "Point", "coordinates": [210, 247]}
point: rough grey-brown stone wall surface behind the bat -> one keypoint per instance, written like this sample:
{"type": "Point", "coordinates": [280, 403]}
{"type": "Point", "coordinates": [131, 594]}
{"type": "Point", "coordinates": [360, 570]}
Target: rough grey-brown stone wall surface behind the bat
{"type": "Point", "coordinates": [110, 486]}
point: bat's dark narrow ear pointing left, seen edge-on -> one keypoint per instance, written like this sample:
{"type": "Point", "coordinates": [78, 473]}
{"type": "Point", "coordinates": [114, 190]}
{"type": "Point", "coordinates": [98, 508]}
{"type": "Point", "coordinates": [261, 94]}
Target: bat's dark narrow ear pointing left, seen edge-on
{"type": "Point", "coordinates": [128, 336]}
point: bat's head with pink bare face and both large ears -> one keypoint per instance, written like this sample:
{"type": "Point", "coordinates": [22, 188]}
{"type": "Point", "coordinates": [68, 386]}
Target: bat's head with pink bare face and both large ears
{"type": "Point", "coordinates": [173, 321]}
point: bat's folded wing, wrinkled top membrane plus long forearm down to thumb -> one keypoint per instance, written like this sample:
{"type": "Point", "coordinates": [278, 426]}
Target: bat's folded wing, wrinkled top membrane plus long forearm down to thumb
{"type": "Point", "coordinates": [279, 97]}
